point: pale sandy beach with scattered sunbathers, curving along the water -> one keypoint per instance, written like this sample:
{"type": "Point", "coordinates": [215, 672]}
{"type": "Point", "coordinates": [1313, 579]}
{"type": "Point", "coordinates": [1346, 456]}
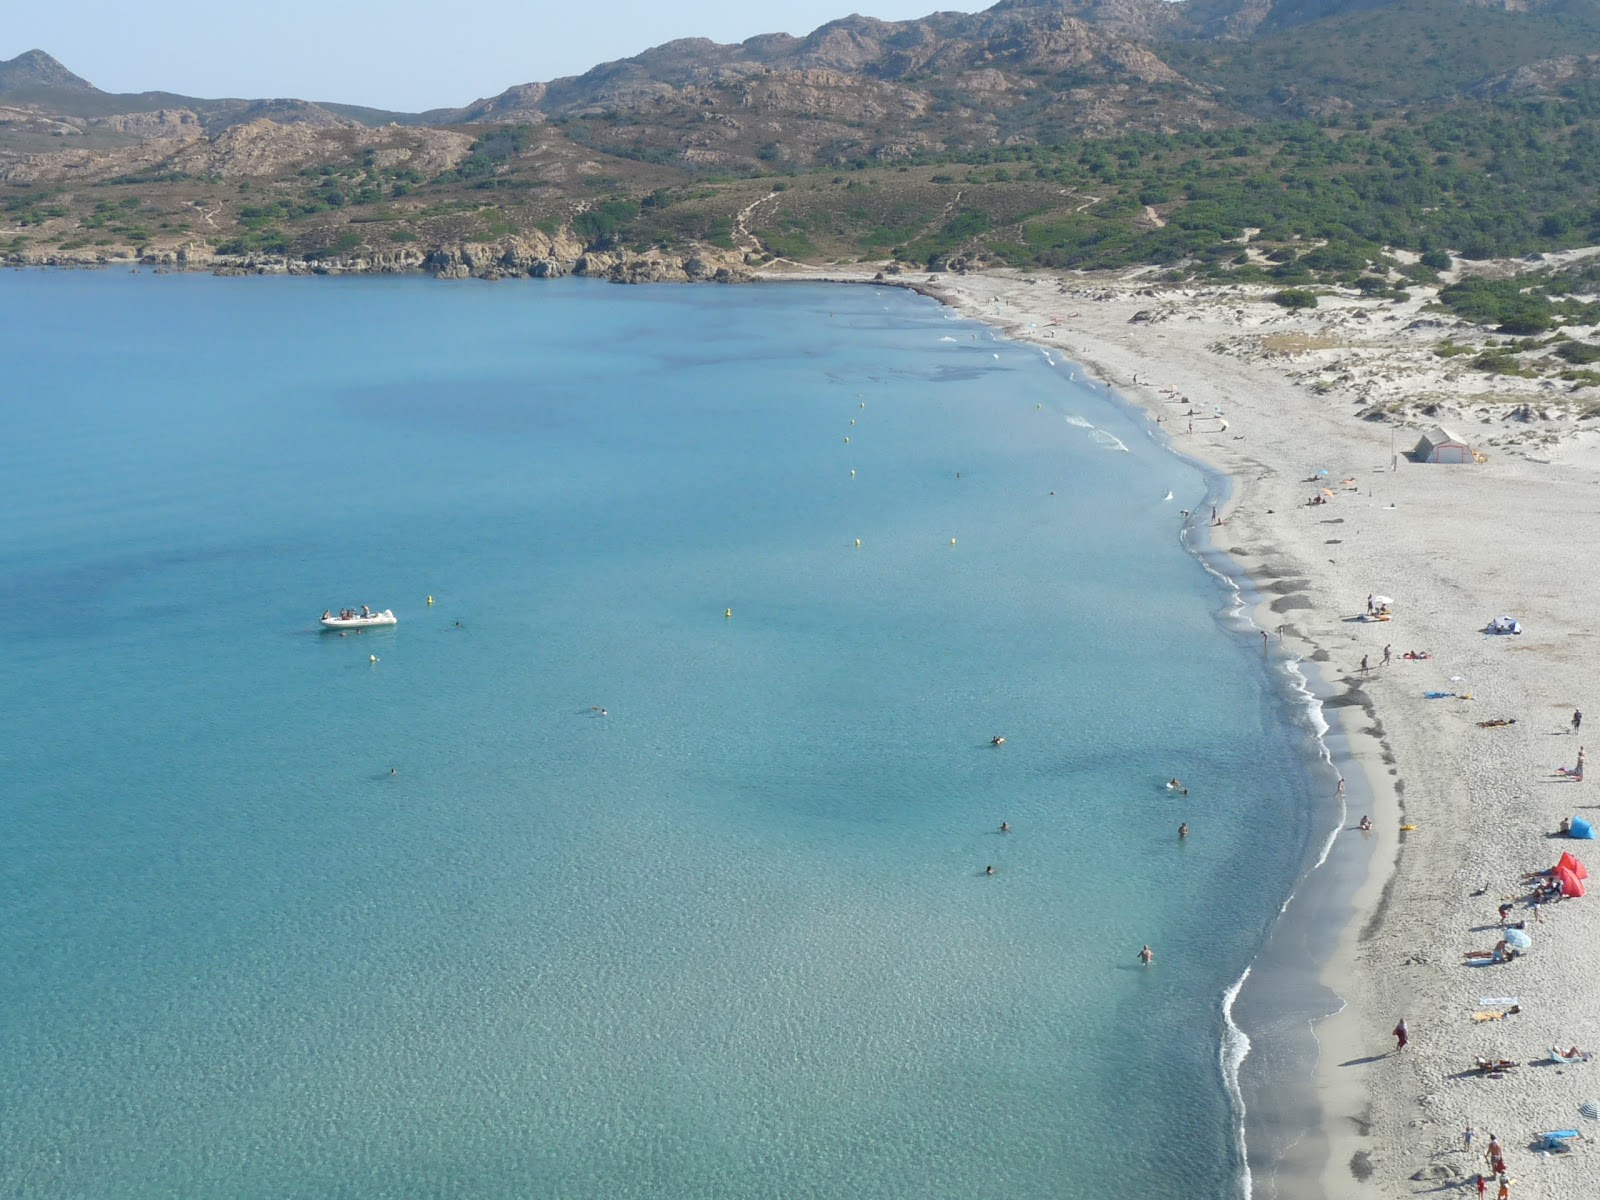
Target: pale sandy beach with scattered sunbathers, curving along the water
{"type": "Point", "coordinates": [1465, 785]}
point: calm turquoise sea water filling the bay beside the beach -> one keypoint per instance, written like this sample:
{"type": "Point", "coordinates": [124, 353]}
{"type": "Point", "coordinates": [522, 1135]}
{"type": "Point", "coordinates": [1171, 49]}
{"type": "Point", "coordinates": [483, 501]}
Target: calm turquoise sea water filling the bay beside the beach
{"type": "Point", "coordinates": [730, 940]}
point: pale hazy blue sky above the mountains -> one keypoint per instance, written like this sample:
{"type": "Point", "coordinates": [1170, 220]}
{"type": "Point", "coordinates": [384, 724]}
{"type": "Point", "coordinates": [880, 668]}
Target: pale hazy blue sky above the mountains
{"type": "Point", "coordinates": [406, 55]}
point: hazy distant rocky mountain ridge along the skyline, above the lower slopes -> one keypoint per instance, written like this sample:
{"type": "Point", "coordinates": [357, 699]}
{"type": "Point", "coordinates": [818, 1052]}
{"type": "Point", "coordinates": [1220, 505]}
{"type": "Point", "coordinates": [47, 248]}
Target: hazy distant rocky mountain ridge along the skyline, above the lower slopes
{"type": "Point", "coordinates": [1018, 70]}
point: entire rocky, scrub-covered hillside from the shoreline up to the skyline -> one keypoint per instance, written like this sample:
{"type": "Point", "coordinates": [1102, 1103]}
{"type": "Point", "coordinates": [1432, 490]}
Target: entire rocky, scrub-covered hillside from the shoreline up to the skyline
{"type": "Point", "coordinates": [1058, 132]}
